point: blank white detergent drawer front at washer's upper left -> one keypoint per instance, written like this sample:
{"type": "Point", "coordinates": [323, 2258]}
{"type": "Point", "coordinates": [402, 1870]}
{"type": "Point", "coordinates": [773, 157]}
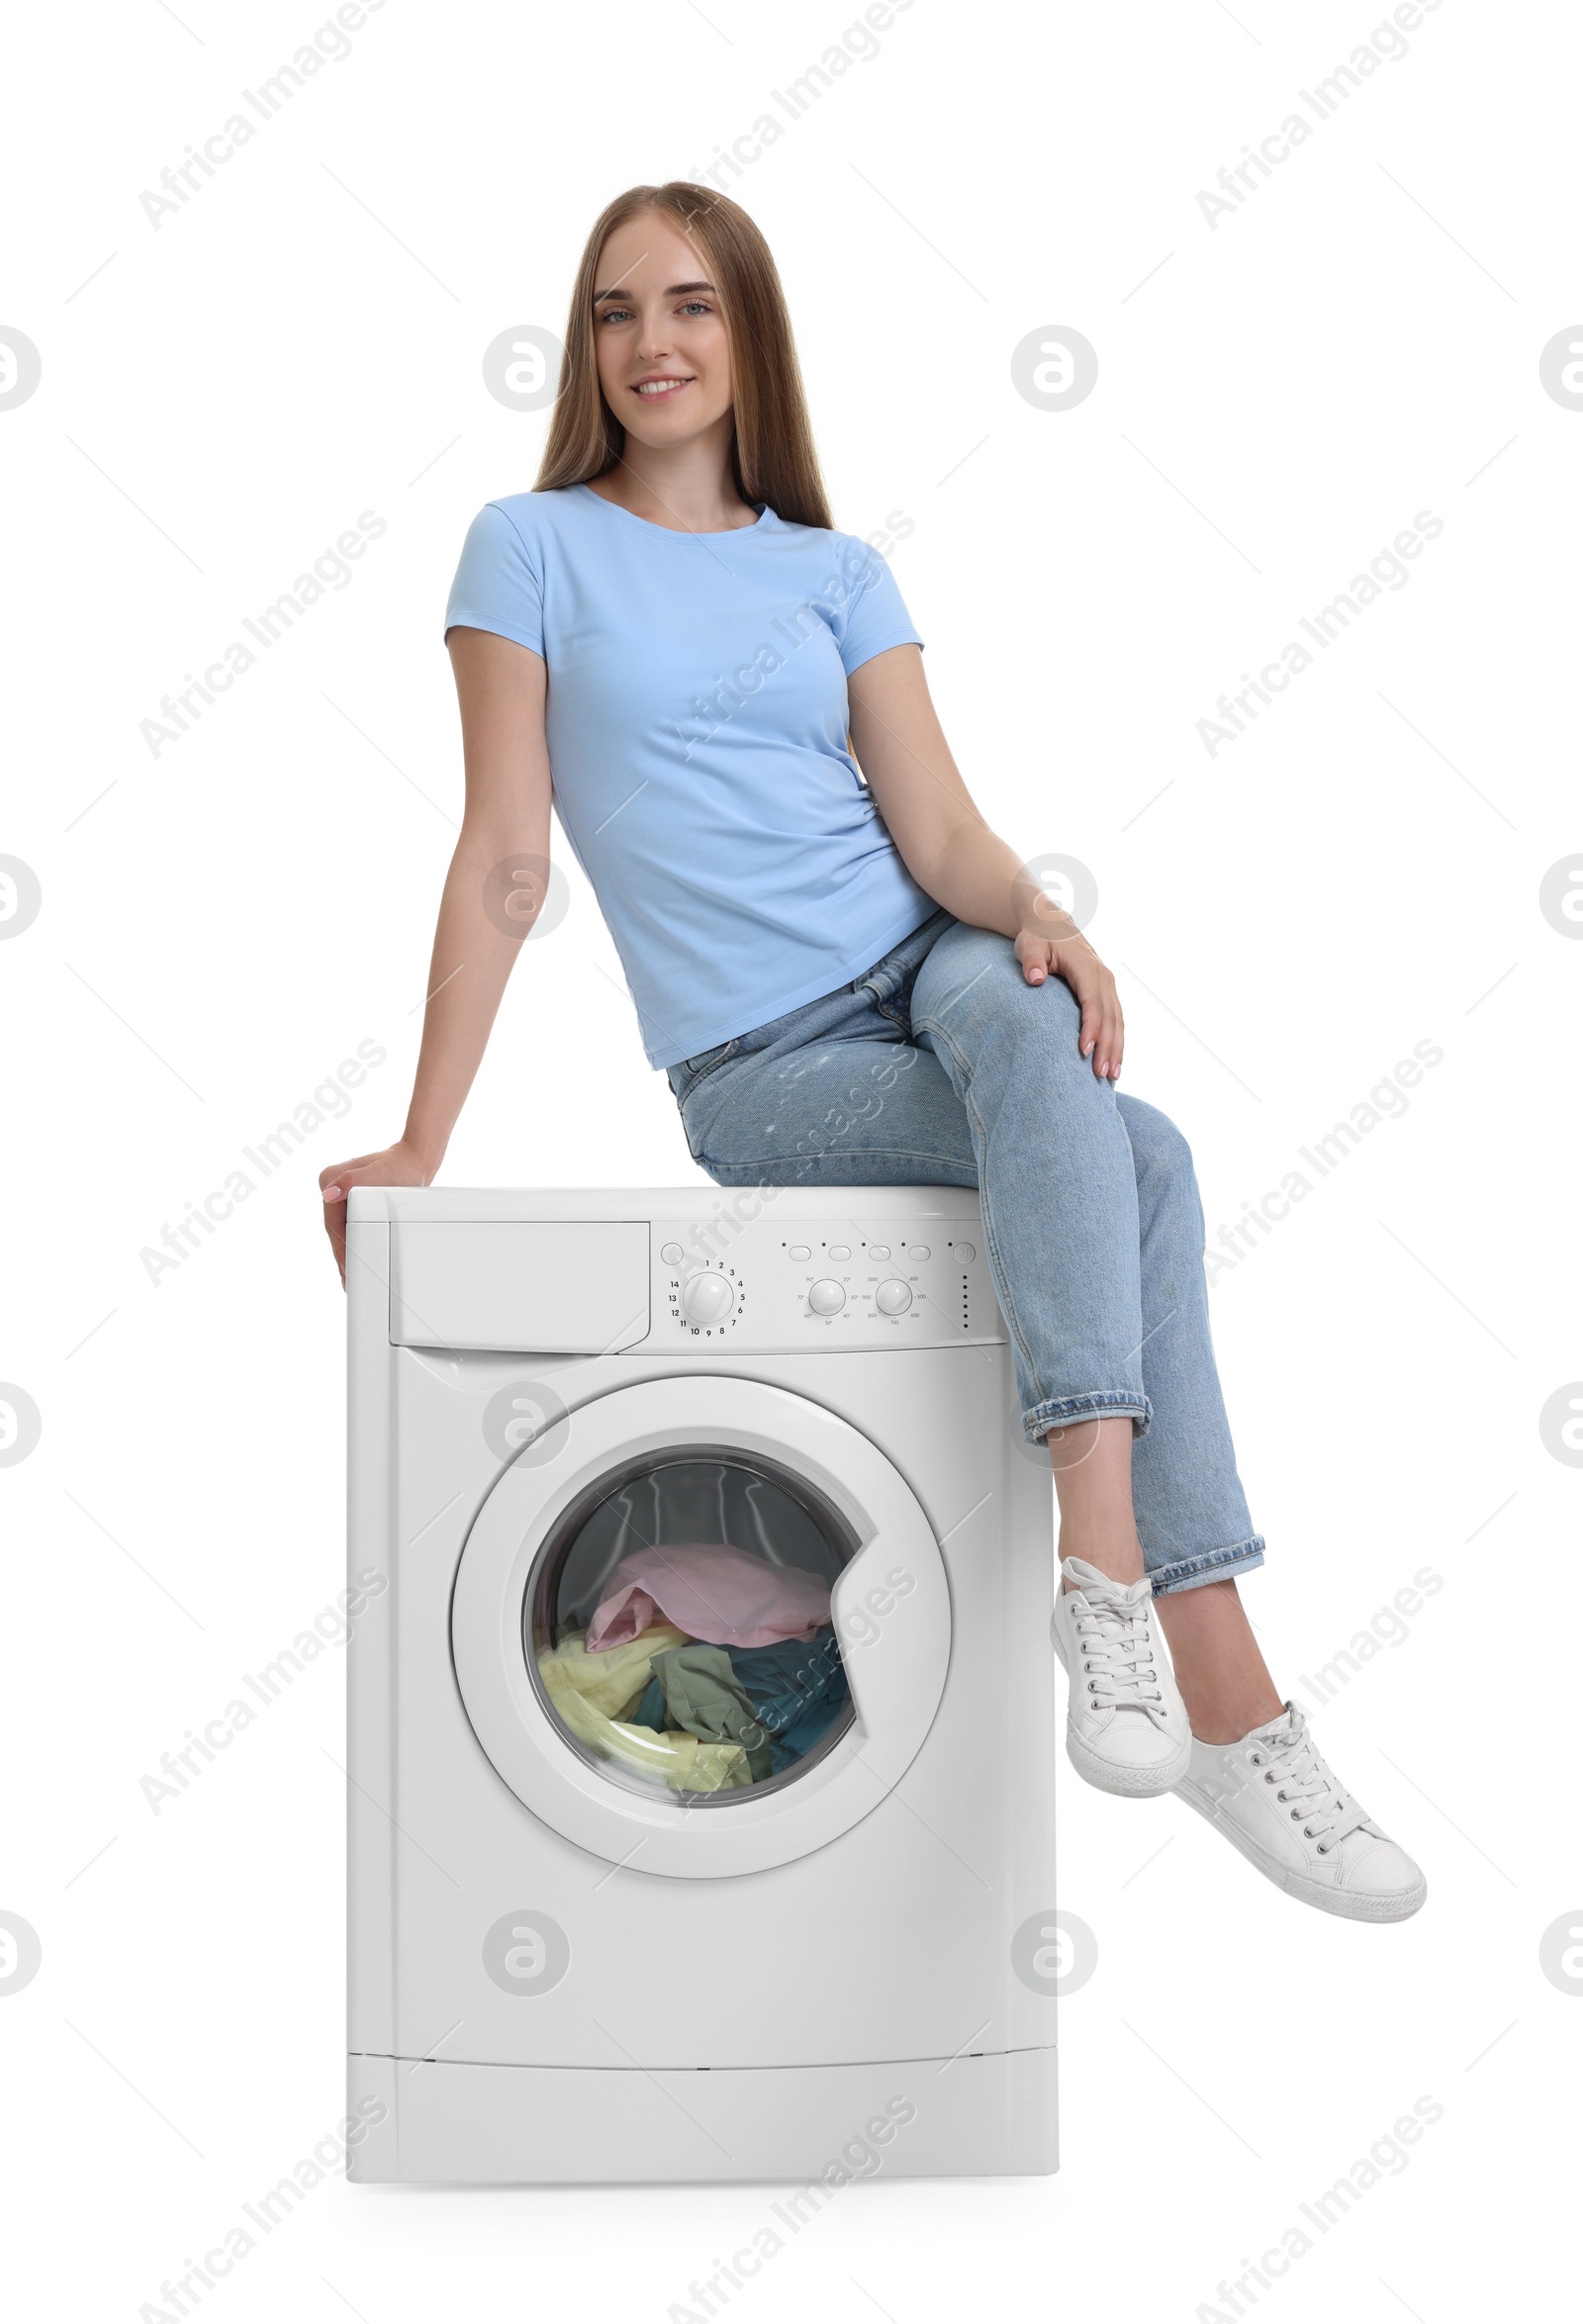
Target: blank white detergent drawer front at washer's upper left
{"type": "Point", "coordinates": [566, 1286]}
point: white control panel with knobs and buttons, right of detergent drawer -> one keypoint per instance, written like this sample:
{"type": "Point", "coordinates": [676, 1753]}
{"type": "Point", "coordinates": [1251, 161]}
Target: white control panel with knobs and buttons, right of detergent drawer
{"type": "Point", "coordinates": [778, 1284]}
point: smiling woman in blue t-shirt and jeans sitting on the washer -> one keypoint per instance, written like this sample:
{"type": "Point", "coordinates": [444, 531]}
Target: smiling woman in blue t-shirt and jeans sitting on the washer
{"type": "Point", "coordinates": [852, 980]}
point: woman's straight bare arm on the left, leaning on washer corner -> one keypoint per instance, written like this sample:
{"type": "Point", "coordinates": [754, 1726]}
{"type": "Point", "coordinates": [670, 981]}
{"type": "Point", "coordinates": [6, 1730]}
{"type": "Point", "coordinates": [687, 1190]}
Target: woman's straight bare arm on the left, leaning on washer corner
{"type": "Point", "coordinates": [501, 691]}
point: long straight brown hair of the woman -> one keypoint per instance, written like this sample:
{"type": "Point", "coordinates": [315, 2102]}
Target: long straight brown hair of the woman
{"type": "Point", "coordinates": [773, 445]}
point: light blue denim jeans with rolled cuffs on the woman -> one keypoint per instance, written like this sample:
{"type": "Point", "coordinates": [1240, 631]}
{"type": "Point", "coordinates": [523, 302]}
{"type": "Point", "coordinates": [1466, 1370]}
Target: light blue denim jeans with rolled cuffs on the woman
{"type": "Point", "coordinates": [940, 1066]}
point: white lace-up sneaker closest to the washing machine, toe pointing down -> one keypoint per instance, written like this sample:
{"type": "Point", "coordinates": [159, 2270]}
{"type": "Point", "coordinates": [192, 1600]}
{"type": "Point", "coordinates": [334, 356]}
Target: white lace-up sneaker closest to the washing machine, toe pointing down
{"type": "Point", "coordinates": [1126, 1723]}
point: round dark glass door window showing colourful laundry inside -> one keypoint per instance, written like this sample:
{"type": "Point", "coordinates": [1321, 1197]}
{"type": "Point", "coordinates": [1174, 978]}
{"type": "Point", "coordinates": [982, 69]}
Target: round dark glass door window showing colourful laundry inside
{"type": "Point", "coordinates": [678, 1626]}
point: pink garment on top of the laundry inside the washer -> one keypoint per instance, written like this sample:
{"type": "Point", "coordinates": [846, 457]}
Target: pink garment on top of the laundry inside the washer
{"type": "Point", "coordinates": [715, 1593]}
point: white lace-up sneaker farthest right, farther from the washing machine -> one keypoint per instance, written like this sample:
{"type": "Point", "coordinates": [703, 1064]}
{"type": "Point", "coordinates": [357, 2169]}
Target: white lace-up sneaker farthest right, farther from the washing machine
{"type": "Point", "coordinates": [1275, 1798]}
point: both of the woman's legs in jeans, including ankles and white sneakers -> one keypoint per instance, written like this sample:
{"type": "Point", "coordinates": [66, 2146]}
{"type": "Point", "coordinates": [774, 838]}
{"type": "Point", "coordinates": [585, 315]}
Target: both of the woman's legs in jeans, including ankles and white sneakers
{"type": "Point", "coordinates": [1096, 1238]}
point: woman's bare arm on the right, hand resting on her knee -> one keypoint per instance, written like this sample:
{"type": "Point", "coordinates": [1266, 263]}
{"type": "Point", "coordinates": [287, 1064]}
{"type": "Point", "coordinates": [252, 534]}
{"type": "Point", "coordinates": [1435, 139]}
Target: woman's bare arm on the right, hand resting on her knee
{"type": "Point", "coordinates": [952, 852]}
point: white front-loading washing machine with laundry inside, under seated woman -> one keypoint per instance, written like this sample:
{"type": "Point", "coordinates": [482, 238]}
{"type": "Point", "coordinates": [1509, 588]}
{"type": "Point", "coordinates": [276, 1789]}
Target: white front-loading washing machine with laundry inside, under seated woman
{"type": "Point", "coordinates": [615, 1444]}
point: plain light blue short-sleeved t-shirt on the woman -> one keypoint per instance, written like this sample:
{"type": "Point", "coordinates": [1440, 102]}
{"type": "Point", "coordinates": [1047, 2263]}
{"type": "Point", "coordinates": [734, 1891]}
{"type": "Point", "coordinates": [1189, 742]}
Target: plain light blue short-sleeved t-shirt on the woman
{"type": "Point", "coordinates": [696, 729]}
